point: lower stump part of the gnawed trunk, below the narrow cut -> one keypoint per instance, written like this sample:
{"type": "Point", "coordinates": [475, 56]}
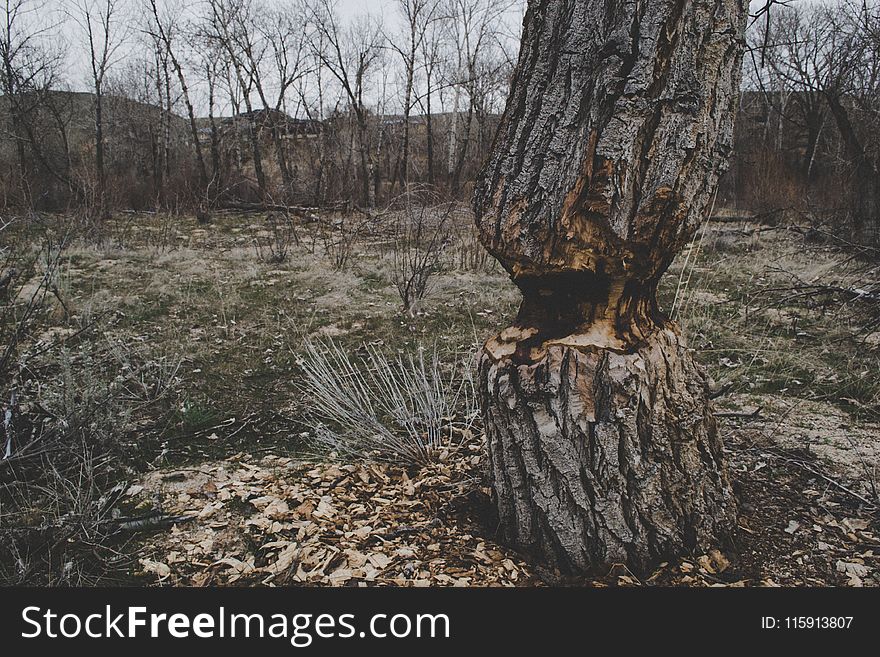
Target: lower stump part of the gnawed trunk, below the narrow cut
{"type": "Point", "coordinates": [599, 457]}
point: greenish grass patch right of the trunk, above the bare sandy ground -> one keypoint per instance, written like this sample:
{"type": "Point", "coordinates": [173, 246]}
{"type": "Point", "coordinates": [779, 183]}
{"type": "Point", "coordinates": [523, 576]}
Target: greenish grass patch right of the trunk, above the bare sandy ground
{"type": "Point", "coordinates": [749, 332]}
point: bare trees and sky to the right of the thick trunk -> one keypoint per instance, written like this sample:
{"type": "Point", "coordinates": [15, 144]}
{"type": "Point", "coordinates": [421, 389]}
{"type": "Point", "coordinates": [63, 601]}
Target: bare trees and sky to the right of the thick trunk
{"type": "Point", "coordinates": [808, 134]}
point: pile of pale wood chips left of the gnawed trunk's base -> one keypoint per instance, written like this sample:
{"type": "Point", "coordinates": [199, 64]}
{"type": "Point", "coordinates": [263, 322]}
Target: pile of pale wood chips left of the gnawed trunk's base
{"type": "Point", "coordinates": [278, 521]}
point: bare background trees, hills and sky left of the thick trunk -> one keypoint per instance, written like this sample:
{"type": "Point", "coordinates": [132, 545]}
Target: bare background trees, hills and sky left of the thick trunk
{"type": "Point", "coordinates": [192, 105]}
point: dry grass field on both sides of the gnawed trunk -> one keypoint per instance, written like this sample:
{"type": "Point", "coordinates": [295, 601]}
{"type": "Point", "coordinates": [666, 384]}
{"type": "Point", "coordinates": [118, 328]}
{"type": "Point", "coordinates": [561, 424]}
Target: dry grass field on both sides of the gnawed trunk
{"type": "Point", "coordinates": [241, 323]}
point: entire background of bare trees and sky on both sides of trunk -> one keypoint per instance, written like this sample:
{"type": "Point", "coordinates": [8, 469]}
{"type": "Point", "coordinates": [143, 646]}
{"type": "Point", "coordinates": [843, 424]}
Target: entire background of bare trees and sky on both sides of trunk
{"type": "Point", "coordinates": [190, 106]}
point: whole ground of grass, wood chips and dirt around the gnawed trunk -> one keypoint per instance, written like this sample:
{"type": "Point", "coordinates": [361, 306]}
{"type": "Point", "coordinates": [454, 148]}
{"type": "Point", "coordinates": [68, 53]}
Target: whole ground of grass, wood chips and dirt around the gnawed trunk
{"type": "Point", "coordinates": [227, 452]}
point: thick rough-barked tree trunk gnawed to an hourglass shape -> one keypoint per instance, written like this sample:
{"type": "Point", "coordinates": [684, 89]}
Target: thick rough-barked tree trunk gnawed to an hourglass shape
{"type": "Point", "coordinates": [619, 122]}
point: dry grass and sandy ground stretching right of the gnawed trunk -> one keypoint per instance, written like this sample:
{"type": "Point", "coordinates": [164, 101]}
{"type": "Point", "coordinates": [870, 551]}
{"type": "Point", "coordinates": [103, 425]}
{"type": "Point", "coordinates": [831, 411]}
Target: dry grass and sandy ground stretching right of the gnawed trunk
{"type": "Point", "coordinates": [808, 363]}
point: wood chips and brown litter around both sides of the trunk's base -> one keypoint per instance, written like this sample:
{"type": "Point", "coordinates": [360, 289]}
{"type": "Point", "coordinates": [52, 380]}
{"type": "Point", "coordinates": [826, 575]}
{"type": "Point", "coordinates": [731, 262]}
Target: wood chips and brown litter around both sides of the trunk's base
{"type": "Point", "coordinates": [278, 521]}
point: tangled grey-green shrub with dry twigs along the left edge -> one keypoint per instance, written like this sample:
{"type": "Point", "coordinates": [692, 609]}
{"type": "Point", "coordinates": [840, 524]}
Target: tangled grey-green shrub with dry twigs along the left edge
{"type": "Point", "coordinates": [75, 409]}
